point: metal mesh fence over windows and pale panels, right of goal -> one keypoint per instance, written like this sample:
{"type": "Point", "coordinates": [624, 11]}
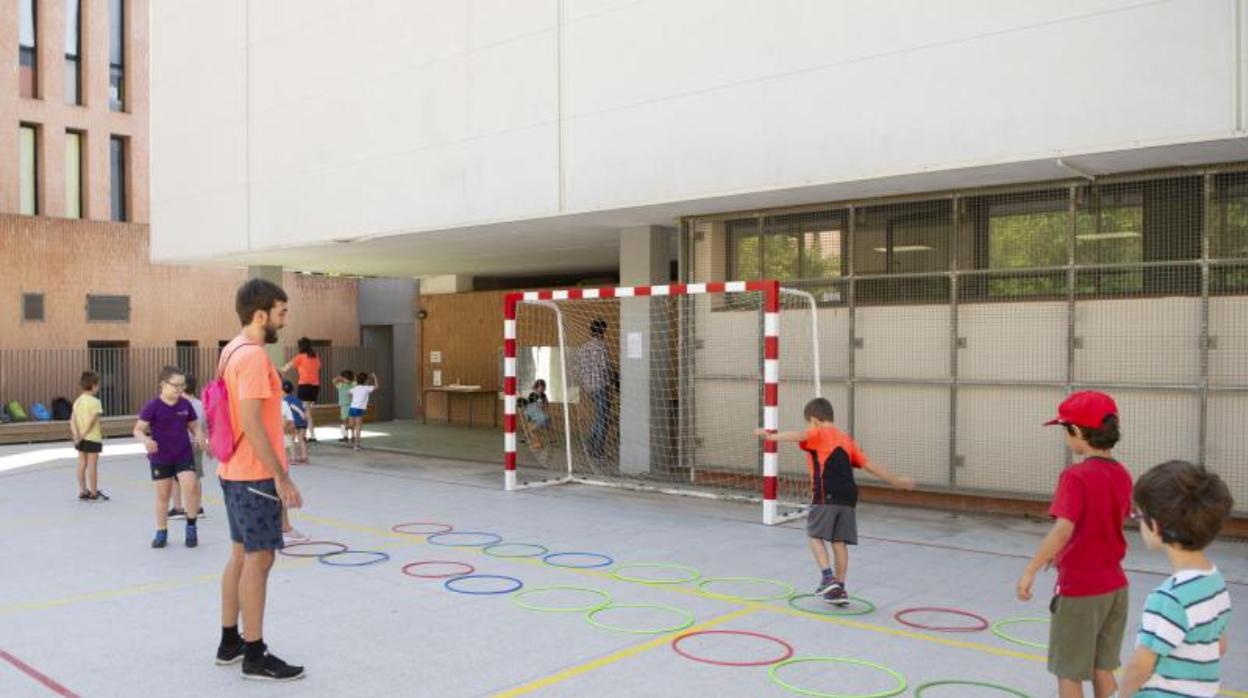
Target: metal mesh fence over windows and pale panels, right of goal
{"type": "Point", "coordinates": [952, 327]}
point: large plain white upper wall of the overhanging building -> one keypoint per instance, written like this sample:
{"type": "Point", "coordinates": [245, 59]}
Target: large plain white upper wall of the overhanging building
{"type": "Point", "coordinates": [309, 120]}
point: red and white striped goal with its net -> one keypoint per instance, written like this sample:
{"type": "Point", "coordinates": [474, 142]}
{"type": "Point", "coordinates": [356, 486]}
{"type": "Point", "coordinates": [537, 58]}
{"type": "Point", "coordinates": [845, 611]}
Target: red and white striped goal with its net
{"type": "Point", "coordinates": [661, 388]}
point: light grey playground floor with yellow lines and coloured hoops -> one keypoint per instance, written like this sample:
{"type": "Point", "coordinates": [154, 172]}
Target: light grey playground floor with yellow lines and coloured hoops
{"type": "Point", "coordinates": [85, 604]}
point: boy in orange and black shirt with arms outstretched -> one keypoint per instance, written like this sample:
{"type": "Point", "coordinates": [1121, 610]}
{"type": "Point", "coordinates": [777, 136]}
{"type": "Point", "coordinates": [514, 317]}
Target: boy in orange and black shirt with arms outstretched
{"type": "Point", "coordinates": [832, 458]}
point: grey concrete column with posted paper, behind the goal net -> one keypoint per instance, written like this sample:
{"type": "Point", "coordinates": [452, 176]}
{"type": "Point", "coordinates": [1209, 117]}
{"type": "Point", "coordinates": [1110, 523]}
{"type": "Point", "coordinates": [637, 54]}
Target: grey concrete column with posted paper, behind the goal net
{"type": "Point", "coordinates": [646, 260]}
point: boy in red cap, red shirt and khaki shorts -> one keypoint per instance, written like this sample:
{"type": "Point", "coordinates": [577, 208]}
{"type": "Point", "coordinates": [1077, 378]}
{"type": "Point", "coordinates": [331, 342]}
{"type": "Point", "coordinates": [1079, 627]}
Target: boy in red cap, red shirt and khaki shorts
{"type": "Point", "coordinates": [1088, 545]}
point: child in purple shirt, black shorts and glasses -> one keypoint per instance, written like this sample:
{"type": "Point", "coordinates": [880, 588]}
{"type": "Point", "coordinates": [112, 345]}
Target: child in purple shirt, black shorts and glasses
{"type": "Point", "coordinates": [167, 426]}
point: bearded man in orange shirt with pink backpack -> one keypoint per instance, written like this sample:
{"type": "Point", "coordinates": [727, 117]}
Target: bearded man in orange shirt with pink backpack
{"type": "Point", "coordinates": [255, 481]}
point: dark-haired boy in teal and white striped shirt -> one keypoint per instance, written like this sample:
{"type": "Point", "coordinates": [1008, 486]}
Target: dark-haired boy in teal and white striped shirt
{"type": "Point", "coordinates": [1184, 631]}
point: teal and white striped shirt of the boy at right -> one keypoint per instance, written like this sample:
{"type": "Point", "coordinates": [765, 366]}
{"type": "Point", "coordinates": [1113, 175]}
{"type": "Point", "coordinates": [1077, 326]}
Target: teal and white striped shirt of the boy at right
{"type": "Point", "coordinates": [1182, 624]}
